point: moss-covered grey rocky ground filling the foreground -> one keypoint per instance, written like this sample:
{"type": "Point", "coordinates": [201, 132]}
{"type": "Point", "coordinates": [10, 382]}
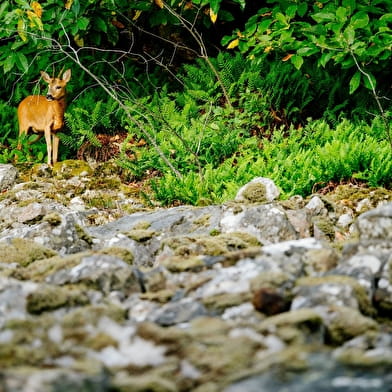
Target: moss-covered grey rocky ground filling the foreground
{"type": "Point", "coordinates": [100, 293]}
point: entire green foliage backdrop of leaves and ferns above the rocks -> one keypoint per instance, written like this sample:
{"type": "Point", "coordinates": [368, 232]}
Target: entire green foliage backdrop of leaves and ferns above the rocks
{"type": "Point", "coordinates": [203, 90]}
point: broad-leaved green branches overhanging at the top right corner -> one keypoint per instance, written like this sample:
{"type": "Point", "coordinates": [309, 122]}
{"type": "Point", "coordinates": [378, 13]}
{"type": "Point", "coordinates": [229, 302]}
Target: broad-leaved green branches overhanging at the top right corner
{"type": "Point", "coordinates": [353, 36]}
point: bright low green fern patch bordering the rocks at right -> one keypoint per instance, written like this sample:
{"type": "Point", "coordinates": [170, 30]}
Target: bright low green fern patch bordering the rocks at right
{"type": "Point", "coordinates": [305, 159]}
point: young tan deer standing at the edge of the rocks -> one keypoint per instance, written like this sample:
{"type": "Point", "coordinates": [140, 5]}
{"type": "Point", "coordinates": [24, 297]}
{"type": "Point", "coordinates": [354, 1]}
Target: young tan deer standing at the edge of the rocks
{"type": "Point", "coordinates": [45, 114]}
